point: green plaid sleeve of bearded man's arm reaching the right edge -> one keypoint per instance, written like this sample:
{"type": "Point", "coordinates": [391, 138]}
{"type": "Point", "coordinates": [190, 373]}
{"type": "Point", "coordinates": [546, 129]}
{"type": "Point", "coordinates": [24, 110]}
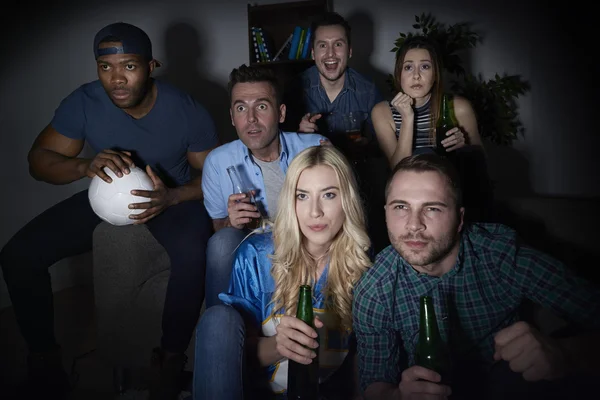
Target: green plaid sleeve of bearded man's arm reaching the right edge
{"type": "Point", "coordinates": [551, 284]}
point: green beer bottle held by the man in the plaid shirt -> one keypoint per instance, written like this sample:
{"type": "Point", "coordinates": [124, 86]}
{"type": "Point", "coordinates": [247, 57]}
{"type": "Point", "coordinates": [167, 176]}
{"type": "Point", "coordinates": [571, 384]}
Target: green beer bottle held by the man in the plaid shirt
{"type": "Point", "coordinates": [431, 351]}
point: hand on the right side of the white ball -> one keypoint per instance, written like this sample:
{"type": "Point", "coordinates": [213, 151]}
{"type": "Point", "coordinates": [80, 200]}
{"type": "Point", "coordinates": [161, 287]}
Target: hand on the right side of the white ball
{"type": "Point", "coordinates": [160, 198]}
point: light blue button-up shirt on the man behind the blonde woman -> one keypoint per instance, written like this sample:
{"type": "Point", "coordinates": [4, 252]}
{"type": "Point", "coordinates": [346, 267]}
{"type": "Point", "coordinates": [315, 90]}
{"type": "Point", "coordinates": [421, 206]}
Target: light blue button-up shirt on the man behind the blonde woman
{"type": "Point", "coordinates": [217, 186]}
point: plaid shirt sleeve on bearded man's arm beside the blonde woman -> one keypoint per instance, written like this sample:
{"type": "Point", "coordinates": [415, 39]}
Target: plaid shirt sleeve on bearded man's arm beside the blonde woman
{"type": "Point", "coordinates": [377, 345]}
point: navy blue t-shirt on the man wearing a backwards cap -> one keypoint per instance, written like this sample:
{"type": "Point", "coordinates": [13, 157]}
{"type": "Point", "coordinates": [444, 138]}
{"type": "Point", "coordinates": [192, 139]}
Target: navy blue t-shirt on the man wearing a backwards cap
{"type": "Point", "coordinates": [175, 125]}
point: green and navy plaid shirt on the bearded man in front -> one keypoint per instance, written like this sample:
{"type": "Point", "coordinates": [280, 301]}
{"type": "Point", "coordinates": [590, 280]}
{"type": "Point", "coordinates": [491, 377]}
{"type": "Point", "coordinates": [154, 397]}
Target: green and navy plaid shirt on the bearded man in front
{"type": "Point", "coordinates": [478, 297]}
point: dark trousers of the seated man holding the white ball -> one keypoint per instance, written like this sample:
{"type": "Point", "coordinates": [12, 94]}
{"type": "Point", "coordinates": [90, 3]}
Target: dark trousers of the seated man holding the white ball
{"type": "Point", "coordinates": [66, 229]}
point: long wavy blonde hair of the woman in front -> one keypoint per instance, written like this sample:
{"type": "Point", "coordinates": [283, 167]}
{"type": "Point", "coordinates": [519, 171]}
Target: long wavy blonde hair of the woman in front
{"type": "Point", "coordinates": [293, 266]}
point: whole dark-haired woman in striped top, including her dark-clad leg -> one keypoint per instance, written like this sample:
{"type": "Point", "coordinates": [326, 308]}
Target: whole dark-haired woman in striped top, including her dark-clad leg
{"type": "Point", "coordinates": [406, 125]}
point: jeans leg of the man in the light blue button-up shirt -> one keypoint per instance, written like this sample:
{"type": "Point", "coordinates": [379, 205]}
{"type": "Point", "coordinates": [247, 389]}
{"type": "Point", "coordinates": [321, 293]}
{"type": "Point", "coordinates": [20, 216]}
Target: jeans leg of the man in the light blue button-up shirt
{"type": "Point", "coordinates": [219, 261]}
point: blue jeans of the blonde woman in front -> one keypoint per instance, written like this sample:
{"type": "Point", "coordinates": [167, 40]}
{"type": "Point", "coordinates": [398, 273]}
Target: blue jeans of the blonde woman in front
{"type": "Point", "coordinates": [224, 371]}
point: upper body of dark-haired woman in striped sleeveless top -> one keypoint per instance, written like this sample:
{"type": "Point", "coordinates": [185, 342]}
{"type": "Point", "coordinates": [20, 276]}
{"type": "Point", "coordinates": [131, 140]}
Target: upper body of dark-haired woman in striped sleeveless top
{"type": "Point", "coordinates": [405, 125]}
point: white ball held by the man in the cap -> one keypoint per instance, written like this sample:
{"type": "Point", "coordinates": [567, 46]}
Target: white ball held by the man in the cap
{"type": "Point", "coordinates": [110, 201]}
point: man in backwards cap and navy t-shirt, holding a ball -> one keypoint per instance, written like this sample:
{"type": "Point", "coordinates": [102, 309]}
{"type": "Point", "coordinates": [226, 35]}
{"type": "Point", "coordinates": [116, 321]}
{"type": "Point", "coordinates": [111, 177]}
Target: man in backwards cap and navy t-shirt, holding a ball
{"type": "Point", "coordinates": [129, 119]}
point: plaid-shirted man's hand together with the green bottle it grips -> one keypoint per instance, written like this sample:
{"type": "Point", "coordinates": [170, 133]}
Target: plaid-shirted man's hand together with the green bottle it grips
{"type": "Point", "coordinates": [431, 372]}
